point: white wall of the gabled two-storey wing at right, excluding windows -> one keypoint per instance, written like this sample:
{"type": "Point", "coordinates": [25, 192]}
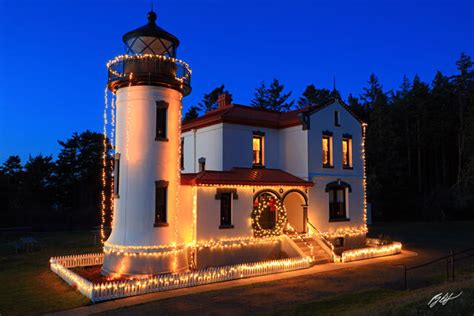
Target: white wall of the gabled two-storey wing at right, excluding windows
{"type": "Point", "coordinates": [318, 211]}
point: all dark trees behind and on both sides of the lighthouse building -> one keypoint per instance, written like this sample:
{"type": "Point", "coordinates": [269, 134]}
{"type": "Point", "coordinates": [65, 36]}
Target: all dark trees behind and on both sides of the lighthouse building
{"type": "Point", "coordinates": [419, 151]}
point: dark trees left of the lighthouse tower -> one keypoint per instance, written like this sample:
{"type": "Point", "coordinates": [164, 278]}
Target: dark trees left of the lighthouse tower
{"type": "Point", "coordinates": [50, 194]}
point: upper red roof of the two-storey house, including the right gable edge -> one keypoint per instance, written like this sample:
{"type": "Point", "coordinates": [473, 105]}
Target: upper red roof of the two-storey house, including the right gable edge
{"type": "Point", "coordinates": [246, 115]}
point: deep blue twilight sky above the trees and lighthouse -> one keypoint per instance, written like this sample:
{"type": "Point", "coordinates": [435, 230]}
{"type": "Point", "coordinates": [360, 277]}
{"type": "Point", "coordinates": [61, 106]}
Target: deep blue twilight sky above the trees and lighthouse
{"type": "Point", "coordinates": [53, 53]}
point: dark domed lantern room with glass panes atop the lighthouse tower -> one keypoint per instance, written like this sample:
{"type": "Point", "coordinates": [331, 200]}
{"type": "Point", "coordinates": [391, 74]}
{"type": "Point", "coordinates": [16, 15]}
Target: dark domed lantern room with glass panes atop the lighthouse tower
{"type": "Point", "coordinates": [150, 39]}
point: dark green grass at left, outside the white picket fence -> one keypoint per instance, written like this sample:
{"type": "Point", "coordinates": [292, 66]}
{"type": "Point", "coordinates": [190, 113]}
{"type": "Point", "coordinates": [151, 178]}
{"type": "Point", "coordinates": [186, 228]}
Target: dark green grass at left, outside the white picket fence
{"type": "Point", "coordinates": [28, 287]}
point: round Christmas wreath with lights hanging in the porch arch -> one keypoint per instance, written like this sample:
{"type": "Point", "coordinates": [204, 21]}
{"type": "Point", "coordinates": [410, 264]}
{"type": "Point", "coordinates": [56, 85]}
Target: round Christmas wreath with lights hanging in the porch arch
{"type": "Point", "coordinates": [273, 205]}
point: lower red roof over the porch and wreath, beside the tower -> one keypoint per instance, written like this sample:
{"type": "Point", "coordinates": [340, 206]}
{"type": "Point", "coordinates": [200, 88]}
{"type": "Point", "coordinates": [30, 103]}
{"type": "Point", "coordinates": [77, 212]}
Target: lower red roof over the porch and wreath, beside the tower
{"type": "Point", "coordinates": [244, 176]}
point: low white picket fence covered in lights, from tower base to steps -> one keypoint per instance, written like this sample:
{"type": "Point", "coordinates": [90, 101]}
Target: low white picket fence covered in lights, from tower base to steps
{"type": "Point", "coordinates": [123, 288]}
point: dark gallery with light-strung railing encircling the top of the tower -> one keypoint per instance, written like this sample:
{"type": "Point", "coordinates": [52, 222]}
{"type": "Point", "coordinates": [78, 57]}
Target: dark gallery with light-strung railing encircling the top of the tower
{"type": "Point", "coordinates": [149, 69]}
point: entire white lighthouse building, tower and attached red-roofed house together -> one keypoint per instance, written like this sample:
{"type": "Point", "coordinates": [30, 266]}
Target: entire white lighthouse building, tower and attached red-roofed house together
{"type": "Point", "coordinates": [236, 185]}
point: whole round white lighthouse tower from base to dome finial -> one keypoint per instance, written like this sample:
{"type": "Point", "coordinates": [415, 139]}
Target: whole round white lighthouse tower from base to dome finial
{"type": "Point", "coordinates": [149, 83]}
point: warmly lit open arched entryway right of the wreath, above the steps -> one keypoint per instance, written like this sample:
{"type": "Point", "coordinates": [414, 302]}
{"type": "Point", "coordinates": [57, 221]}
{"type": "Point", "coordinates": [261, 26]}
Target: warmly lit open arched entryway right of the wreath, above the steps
{"type": "Point", "coordinates": [296, 205]}
